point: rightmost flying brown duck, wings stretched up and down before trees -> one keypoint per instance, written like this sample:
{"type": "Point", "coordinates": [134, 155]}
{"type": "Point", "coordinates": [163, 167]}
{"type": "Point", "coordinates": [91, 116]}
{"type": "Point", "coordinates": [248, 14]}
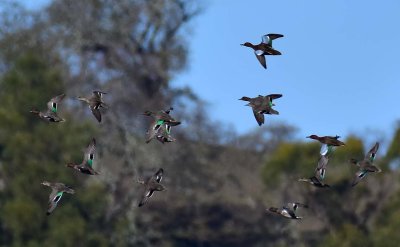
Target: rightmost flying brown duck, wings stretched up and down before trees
{"type": "Point", "coordinates": [366, 165]}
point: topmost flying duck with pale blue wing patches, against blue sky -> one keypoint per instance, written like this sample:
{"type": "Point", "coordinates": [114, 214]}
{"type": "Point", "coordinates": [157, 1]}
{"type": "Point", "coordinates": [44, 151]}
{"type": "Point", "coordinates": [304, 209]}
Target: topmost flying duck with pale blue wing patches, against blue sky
{"type": "Point", "coordinates": [264, 48]}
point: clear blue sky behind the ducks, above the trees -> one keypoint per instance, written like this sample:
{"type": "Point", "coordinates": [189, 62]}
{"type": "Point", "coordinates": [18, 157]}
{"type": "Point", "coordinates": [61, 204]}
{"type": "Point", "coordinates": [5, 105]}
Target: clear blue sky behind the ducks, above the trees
{"type": "Point", "coordinates": [339, 72]}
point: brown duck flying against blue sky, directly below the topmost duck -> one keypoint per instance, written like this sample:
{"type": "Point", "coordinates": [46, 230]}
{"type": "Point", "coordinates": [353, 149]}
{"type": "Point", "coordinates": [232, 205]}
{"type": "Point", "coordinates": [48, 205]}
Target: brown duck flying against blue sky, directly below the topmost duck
{"type": "Point", "coordinates": [262, 105]}
